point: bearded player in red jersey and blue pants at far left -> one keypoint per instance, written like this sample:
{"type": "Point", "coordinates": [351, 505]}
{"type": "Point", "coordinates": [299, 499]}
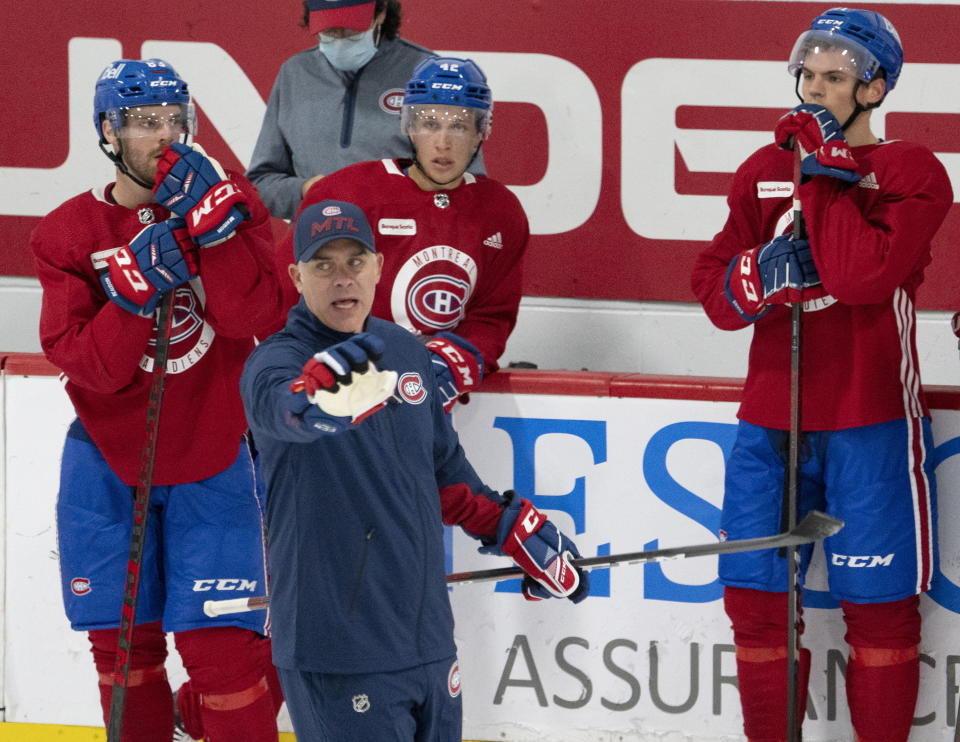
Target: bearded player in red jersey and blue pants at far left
{"type": "Point", "coordinates": [105, 258]}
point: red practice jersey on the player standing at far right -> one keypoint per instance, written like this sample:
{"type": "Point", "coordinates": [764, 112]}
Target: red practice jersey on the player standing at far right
{"type": "Point", "coordinates": [871, 243]}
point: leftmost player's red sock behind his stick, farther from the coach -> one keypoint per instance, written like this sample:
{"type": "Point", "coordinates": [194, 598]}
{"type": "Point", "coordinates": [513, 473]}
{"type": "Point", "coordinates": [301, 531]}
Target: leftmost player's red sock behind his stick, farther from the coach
{"type": "Point", "coordinates": [148, 708]}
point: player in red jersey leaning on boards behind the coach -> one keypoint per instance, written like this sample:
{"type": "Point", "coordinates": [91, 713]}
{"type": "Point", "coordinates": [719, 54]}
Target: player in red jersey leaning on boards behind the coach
{"type": "Point", "coordinates": [452, 242]}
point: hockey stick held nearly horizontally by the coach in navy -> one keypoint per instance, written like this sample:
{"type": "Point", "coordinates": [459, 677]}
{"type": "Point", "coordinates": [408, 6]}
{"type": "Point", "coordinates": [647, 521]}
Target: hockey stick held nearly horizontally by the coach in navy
{"type": "Point", "coordinates": [813, 527]}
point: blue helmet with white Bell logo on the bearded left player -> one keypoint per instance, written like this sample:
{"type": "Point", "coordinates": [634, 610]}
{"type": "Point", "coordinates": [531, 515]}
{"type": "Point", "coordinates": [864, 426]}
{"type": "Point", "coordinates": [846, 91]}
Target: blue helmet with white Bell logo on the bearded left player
{"type": "Point", "coordinates": [129, 83]}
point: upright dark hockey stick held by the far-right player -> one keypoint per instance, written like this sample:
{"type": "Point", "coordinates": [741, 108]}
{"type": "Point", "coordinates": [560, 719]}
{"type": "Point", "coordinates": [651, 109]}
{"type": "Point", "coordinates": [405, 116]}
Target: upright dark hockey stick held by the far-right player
{"type": "Point", "coordinates": [791, 480]}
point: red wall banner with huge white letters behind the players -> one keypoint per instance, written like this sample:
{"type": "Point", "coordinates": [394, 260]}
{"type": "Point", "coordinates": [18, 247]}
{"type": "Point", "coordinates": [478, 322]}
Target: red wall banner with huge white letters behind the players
{"type": "Point", "coordinates": [618, 124]}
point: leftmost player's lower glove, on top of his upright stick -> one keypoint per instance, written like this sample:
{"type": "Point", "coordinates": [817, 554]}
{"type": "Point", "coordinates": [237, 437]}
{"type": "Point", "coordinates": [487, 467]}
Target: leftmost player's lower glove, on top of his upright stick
{"type": "Point", "coordinates": [158, 259]}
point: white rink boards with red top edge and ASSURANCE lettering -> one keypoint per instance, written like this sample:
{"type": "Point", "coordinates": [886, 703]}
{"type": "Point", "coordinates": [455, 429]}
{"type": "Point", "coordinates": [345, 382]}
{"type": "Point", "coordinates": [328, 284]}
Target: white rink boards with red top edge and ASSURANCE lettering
{"type": "Point", "coordinates": [626, 463]}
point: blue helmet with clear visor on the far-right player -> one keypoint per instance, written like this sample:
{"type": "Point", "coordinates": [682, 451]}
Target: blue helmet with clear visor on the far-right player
{"type": "Point", "coordinates": [868, 40]}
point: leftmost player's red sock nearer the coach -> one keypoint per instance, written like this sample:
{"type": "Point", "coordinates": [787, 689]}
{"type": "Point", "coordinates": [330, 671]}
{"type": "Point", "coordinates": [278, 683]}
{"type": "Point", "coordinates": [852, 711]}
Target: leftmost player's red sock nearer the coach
{"type": "Point", "coordinates": [231, 674]}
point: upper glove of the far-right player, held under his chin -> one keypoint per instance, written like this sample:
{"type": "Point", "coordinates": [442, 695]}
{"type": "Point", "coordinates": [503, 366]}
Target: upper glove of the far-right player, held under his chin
{"type": "Point", "coordinates": [823, 148]}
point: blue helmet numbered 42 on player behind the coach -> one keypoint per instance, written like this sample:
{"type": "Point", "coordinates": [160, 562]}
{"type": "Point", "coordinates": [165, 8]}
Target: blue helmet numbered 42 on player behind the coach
{"type": "Point", "coordinates": [449, 81]}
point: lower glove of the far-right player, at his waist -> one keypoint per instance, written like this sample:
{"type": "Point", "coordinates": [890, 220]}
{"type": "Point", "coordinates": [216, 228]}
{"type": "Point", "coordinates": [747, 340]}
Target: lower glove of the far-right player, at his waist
{"type": "Point", "coordinates": [778, 272]}
